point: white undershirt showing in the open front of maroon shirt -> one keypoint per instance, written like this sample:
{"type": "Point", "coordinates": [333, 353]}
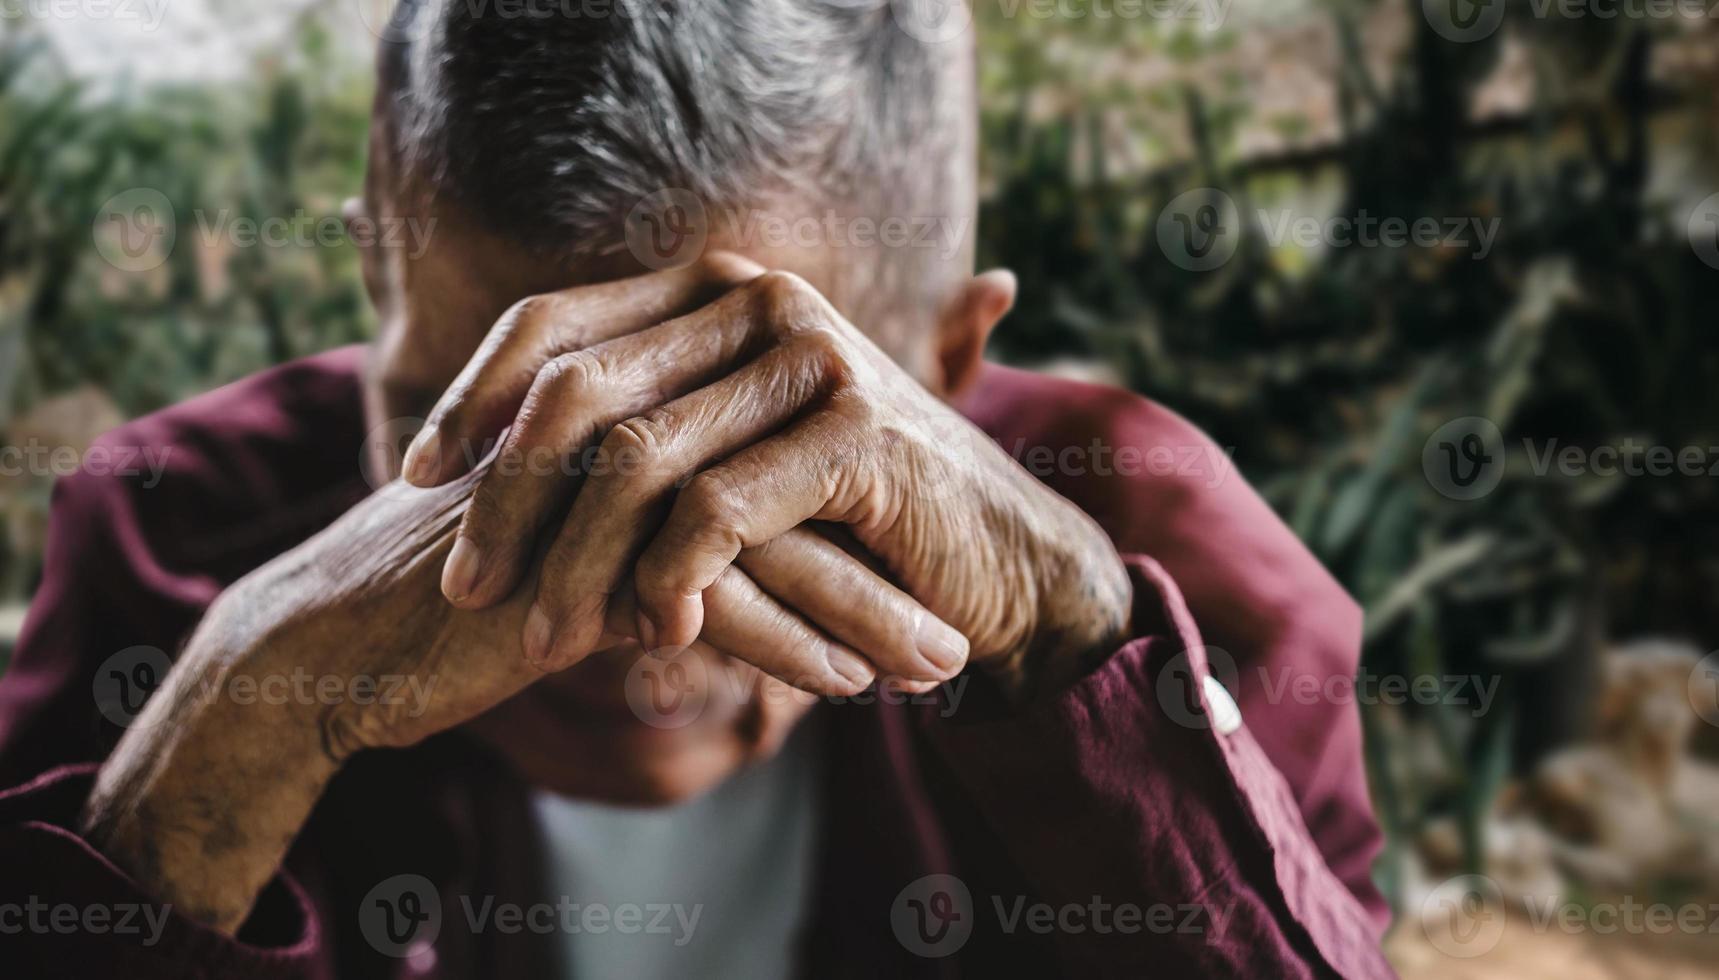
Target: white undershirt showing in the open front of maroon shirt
{"type": "Point", "coordinates": [721, 883]}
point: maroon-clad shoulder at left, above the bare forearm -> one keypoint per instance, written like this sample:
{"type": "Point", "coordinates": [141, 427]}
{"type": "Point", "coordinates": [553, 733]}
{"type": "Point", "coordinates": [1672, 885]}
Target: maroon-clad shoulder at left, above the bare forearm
{"type": "Point", "coordinates": [162, 515]}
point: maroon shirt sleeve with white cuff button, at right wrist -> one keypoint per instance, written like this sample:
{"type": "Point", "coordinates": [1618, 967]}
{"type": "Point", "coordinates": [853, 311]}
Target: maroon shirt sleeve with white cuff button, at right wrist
{"type": "Point", "coordinates": [1137, 788]}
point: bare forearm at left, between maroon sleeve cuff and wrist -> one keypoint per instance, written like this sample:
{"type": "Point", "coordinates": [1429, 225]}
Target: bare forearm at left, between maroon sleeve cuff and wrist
{"type": "Point", "coordinates": [204, 797]}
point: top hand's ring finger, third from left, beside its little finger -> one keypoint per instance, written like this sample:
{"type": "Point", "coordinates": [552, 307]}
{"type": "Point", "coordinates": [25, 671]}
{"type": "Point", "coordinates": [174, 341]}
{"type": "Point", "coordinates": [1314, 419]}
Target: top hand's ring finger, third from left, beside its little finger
{"type": "Point", "coordinates": [642, 460]}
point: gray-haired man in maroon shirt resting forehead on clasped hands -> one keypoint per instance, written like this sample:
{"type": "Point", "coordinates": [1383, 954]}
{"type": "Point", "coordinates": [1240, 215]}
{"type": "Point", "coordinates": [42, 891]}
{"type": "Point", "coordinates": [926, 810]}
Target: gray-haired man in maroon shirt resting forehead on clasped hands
{"type": "Point", "coordinates": [719, 622]}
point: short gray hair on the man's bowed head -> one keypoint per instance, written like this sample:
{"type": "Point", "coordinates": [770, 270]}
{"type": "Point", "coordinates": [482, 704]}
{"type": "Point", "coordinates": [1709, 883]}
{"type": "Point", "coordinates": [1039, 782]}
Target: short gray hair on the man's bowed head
{"type": "Point", "coordinates": [553, 118]}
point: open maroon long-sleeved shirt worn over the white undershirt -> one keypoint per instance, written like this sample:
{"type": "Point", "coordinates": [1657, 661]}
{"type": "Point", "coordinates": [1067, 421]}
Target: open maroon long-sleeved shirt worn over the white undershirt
{"type": "Point", "coordinates": [1240, 855]}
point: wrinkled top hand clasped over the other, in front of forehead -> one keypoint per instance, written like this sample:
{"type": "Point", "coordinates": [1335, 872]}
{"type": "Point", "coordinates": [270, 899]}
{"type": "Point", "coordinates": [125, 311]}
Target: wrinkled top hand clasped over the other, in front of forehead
{"type": "Point", "coordinates": [718, 408]}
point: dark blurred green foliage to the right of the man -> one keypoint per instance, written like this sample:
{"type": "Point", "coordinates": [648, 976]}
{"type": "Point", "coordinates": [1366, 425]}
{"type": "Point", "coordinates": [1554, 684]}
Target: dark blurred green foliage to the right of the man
{"type": "Point", "coordinates": [1589, 324]}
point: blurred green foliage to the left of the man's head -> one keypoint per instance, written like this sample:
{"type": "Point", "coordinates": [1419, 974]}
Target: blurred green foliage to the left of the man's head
{"type": "Point", "coordinates": [288, 142]}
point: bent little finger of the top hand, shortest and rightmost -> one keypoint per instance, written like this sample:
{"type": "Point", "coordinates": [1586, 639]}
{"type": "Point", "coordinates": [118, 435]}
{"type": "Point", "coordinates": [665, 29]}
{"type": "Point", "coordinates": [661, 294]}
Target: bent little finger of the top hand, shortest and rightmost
{"type": "Point", "coordinates": [800, 475]}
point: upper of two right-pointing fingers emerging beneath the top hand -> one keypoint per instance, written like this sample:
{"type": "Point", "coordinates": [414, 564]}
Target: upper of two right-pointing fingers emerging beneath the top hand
{"type": "Point", "coordinates": [853, 604]}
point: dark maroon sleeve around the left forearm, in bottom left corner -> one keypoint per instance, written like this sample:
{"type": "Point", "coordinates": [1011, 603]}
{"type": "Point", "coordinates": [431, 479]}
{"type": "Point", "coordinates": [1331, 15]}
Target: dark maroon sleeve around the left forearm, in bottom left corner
{"type": "Point", "coordinates": [68, 912]}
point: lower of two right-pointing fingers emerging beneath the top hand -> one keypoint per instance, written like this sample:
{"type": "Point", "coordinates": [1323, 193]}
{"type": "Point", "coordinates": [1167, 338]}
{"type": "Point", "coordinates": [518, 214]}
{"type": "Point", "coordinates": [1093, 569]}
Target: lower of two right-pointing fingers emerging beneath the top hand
{"type": "Point", "coordinates": [752, 627]}
